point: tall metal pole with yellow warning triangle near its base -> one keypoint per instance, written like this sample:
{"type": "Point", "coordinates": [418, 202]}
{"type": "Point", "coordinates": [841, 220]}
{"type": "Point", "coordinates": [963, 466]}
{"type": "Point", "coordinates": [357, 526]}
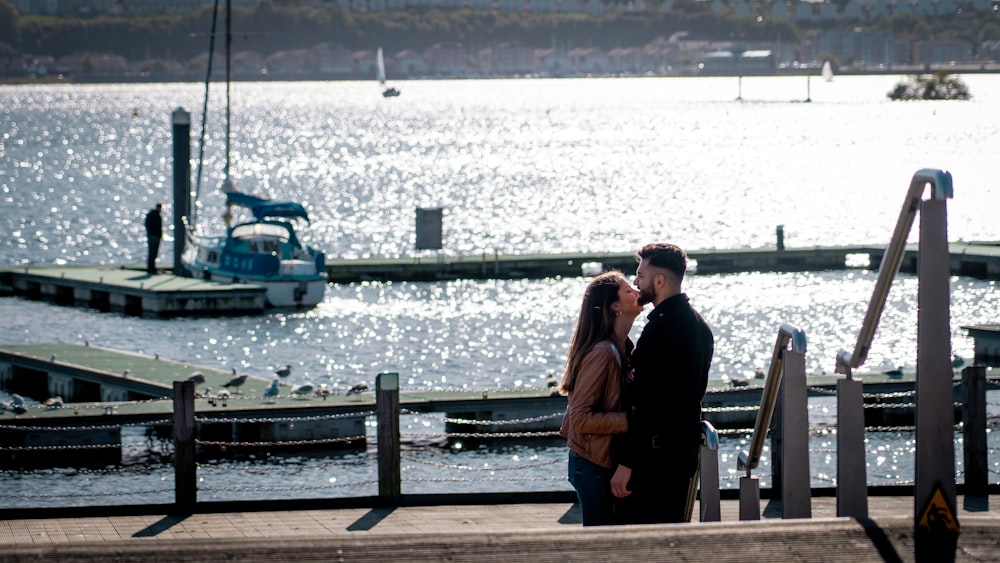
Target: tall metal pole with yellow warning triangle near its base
{"type": "Point", "coordinates": [935, 519]}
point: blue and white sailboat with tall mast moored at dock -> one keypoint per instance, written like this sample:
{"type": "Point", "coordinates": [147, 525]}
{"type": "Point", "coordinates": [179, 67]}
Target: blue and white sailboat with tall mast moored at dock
{"type": "Point", "coordinates": [263, 249]}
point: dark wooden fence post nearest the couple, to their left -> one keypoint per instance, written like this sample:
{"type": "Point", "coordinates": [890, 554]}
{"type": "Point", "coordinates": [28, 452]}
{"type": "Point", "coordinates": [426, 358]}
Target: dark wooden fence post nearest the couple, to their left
{"type": "Point", "coordinates": [387, 413]}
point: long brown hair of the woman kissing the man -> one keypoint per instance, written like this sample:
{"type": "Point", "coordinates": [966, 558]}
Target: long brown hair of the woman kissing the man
{"type": "Point", "coordinates": [596, 323]}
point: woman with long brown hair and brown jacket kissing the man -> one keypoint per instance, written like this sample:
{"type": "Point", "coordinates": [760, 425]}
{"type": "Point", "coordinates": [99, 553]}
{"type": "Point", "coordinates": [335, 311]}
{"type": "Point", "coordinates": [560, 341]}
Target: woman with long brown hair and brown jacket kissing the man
{"type": "Point", "coordinates": [598, 360]}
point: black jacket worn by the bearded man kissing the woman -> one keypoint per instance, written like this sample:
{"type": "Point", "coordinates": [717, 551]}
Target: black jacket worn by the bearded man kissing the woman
{"type": "Point", "coordinates": [670, 373]}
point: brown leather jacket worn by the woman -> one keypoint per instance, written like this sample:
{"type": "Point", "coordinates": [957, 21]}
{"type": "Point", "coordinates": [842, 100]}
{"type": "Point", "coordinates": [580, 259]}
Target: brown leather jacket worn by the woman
{"type": "Point", "coordinates": [593, 412]}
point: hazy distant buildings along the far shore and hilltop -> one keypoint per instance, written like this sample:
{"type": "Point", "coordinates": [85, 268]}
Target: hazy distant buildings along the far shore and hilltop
{"type": "Point", "coordinates": [864, 48]}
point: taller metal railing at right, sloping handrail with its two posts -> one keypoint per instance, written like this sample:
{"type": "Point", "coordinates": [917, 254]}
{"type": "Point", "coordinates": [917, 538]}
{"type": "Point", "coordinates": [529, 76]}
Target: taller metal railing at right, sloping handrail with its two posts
{"type": "Point", "coordinates": [933, 352]}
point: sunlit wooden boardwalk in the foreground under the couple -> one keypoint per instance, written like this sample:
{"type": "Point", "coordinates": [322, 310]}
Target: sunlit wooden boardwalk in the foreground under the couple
{"type": "Point", "coordinates": [484, 533]}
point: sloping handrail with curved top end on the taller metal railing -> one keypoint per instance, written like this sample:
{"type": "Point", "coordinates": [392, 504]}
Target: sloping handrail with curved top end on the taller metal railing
{"type": "Point", "coordinates": [941, 188]}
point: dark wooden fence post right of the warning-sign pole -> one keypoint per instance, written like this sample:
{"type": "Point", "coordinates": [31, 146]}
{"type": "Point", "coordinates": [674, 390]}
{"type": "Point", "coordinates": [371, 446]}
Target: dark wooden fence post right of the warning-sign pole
{"type": "Point", "coordinates": [974, 432]}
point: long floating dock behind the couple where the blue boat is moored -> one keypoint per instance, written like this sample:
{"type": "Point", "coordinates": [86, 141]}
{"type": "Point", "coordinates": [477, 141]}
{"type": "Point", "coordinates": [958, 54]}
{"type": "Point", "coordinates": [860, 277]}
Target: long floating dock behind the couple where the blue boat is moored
{"type": "Point", "coordinates": [131, 291]}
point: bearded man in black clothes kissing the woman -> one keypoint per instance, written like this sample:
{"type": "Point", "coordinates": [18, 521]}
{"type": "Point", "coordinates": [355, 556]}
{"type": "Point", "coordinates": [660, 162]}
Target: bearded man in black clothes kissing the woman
{"type": "Point", "coordinates": [658, 456]}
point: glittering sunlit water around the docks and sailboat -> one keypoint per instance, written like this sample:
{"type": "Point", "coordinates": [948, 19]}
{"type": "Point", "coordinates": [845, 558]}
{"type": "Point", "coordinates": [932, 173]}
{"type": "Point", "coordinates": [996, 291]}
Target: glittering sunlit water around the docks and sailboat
{"type": "Point", "coordinates": [518, 166]}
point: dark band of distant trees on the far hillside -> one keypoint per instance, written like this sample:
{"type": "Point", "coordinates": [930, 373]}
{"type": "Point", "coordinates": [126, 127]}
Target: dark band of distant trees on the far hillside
{"type": "Point", "coordinates": [275, 25]}
